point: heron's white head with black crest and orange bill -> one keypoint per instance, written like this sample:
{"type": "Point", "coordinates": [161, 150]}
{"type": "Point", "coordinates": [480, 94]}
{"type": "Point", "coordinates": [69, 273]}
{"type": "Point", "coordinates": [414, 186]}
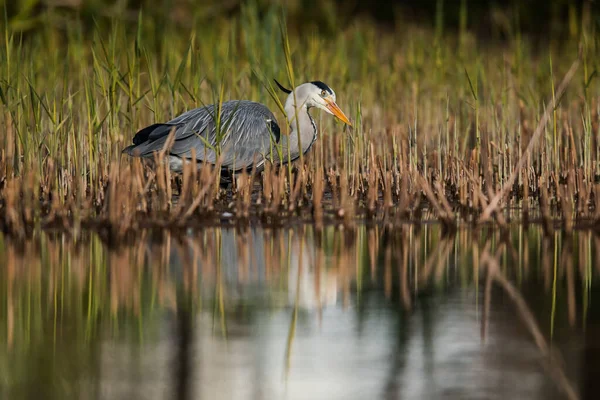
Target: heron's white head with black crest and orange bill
{"type": "Point", "coordinates": [316, 94]}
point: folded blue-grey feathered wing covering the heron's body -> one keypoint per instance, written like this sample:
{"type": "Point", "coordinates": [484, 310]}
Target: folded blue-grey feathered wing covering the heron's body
{"type": "Point", "coordinates": [247, 130]}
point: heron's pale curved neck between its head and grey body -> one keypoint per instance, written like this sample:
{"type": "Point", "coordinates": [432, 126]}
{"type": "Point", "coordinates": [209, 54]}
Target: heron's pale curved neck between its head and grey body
{"type": "Point", "coordinates": [302, 127]}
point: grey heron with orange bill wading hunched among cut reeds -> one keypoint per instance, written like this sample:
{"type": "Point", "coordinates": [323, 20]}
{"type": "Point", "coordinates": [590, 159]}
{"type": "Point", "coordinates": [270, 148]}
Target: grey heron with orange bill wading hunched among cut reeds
{"type": "Point", "coordinates": [248, 131]}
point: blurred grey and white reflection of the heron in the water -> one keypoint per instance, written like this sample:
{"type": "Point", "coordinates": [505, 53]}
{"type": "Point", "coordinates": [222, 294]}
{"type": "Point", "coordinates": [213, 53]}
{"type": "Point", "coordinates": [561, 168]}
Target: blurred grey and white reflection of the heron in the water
{"type": "Point", "coordinates": [250, 260]}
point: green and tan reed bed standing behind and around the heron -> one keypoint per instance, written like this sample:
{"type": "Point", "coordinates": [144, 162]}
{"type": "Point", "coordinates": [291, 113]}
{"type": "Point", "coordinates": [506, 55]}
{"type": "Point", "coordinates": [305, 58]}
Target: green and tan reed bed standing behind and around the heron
{"type": "Point", "coordinates": [445, 125]}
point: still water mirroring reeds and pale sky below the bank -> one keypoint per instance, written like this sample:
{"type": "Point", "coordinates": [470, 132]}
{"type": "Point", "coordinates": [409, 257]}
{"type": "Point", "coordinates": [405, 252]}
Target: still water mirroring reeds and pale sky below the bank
{"type": "Point", "coordinates": [368, 313]}
